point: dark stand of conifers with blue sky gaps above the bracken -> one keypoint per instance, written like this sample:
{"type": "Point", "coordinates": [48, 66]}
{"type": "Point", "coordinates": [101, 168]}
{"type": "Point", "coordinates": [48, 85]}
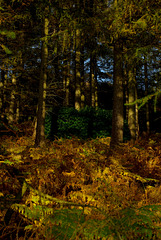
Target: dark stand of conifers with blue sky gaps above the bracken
{"type": "Point", "coordinates": [58, 57]}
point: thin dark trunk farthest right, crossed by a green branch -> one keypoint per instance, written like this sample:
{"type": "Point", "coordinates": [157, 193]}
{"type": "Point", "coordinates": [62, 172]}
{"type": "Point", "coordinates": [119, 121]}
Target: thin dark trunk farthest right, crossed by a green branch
{"type": "Point", "coordinates": [146, 93]}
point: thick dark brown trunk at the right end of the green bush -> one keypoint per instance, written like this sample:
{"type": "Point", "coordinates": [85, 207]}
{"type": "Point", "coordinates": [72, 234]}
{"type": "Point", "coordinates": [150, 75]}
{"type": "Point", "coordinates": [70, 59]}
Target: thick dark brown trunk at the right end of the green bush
{"type": "Point", "coordinates": [117, 116]}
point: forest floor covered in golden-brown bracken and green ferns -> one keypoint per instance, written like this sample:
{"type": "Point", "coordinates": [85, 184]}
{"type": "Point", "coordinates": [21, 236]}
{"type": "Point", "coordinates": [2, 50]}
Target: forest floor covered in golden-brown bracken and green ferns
{"type": "Point", "coordinates": [80, 189]}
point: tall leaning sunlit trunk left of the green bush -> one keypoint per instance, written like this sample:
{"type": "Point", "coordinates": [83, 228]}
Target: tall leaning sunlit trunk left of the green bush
{"type": "Point", "coordinates": [40, 128]}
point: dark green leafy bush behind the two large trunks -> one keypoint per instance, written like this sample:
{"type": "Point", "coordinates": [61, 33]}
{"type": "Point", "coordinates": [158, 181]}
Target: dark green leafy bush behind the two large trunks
{"type": "Point", "coordinates": [86, 123]}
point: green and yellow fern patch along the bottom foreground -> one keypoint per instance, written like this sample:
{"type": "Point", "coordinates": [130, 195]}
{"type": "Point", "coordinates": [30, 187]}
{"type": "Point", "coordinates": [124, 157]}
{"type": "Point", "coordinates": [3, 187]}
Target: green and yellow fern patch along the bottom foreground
{"type": "Point", "coordinates": [59, 219]}
